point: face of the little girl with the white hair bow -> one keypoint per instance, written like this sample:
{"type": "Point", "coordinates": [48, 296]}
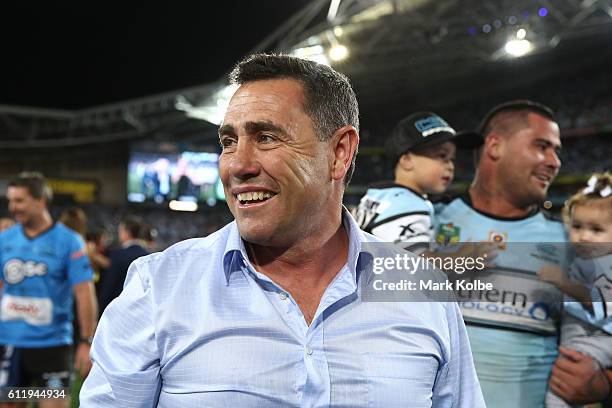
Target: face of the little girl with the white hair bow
{"type": "Point", "coordinates": [591, 222]}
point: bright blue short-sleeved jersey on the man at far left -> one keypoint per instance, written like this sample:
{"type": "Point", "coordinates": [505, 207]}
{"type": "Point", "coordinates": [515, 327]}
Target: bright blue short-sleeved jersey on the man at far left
{"type": "Point", "coordinates": [38, 275]}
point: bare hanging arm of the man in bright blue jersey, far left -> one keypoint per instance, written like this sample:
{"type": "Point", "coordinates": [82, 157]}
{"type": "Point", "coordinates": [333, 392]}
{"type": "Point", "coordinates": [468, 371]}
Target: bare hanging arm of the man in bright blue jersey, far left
{"type": "Point", "coordinates": [87, 313]}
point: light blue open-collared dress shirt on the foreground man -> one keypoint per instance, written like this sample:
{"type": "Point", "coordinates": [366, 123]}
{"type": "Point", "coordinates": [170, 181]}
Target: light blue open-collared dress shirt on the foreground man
{"type": "Point", "coordinates": [197, 326]}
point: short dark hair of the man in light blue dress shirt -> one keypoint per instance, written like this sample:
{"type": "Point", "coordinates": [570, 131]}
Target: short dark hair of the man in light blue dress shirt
{"type": "Point", "coordinates": [329, 99]}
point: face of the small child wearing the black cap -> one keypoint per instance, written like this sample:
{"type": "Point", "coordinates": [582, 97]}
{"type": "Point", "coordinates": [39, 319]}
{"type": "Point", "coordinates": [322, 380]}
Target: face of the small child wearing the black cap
{"type": "Point", "coordinates": [434, 167]}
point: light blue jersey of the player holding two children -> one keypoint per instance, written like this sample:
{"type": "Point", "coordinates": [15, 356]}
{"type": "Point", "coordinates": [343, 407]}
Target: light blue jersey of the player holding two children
{"type": "Point", "coordinates": [513, 336]}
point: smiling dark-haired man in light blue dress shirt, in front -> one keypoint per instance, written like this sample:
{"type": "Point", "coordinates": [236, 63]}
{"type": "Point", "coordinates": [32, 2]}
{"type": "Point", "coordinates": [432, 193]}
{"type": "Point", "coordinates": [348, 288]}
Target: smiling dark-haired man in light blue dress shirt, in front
{"type": "Point", "coordinates": [268, 311]}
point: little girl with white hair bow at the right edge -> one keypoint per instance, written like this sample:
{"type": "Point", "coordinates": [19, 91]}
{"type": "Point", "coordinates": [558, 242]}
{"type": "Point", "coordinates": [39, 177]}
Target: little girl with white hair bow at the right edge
{"type": "Point", "coordinates": [587, 320]}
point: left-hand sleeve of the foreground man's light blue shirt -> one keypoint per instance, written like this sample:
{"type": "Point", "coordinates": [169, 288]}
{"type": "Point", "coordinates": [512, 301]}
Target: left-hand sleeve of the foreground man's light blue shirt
{"type": "Point", "coordinates": [126, 371]}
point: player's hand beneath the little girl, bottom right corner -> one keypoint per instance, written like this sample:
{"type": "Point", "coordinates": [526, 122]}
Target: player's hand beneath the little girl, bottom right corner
{"type": "Point", "coordinates": [577, 378]}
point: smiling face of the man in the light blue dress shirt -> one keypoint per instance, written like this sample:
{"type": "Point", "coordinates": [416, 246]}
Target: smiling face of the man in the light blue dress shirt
{"type": "Point", "coordinates": [274, 169]}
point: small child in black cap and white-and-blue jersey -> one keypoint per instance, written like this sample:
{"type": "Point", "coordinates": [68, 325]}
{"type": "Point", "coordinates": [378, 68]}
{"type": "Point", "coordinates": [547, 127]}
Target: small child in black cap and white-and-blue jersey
{"type": "Point", "coordinates": [422, 150]}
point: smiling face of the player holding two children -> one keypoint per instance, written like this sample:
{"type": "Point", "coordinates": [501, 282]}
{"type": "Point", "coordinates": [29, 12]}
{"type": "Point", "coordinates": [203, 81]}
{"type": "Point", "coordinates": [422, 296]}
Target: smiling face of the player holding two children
{"type": "Point", "coordinates": [531, 160]}
